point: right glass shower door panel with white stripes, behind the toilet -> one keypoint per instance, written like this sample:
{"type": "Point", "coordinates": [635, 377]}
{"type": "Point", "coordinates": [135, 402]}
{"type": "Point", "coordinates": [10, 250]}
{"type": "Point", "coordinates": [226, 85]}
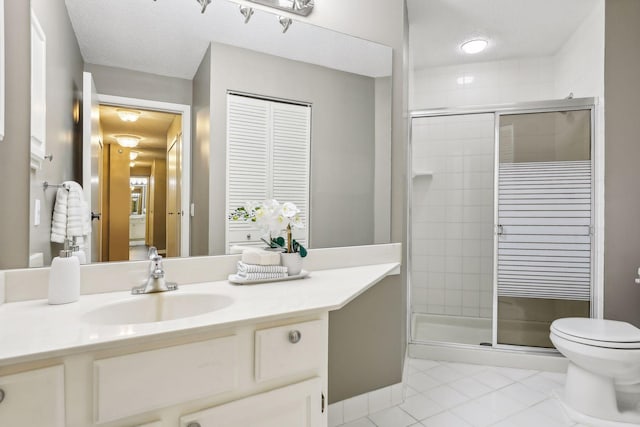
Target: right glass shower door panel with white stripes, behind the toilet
{"type": "Point", "coordinates": [544, 240]}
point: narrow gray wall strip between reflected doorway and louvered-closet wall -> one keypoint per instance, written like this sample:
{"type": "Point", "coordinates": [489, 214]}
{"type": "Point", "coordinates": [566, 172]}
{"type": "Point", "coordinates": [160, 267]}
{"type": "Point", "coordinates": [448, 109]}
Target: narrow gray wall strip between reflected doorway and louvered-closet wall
{"type": "Point", "coordinates": [201, 114]}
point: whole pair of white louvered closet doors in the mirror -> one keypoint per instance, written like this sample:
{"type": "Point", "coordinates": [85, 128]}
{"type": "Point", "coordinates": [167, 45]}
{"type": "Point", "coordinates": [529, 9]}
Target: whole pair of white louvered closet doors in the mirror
{"type": "Point", "coordinates": [268, 151]}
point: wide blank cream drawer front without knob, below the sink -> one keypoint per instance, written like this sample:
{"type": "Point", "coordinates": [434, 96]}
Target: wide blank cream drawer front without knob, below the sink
{"type": "Point", "coordinates": [140, 382]}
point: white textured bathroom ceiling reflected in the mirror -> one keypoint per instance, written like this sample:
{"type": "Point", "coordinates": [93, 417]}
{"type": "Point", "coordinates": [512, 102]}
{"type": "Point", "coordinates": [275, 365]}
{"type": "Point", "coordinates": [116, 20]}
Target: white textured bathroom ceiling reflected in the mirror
{"type": "Point", "coordinates": [169, 37]}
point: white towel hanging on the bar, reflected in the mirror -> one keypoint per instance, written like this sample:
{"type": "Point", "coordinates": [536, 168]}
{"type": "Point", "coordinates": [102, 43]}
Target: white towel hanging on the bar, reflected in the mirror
{"type": "Point", "coordinates": [71, 217]}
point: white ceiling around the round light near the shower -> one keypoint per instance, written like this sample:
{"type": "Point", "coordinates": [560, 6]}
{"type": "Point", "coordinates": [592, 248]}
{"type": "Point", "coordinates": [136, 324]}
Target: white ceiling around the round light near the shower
{"type": "Point", "coordinates": [514, 28]}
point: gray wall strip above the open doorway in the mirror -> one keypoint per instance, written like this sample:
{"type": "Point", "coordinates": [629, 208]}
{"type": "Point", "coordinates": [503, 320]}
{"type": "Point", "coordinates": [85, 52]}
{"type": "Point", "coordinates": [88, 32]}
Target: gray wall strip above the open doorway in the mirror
{"type": "Point", "coordinates": [136, 84]}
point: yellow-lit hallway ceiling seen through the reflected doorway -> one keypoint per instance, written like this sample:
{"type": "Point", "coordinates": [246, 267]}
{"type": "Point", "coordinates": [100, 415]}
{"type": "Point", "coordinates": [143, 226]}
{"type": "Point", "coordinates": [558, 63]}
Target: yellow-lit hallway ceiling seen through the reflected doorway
{"type": "Point", "coordinates": [152, 127]}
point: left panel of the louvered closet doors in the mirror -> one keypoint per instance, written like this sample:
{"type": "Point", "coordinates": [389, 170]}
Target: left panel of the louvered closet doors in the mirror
{"type": "Point", "coordinates": [248, 135]}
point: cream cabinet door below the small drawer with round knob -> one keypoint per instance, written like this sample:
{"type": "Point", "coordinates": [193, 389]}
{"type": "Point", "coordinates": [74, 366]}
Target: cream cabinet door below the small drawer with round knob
{"type": "Point", "coordinates": [297, 405]}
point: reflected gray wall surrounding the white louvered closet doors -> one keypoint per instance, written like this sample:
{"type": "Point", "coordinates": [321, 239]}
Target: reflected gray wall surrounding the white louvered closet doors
{"type": "Point", "coordinates": [342, 140]}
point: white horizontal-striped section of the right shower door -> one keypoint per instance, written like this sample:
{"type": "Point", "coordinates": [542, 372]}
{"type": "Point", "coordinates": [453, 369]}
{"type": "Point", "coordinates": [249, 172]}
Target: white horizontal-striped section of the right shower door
{"type": "Point", "coordinates": [544, 242]}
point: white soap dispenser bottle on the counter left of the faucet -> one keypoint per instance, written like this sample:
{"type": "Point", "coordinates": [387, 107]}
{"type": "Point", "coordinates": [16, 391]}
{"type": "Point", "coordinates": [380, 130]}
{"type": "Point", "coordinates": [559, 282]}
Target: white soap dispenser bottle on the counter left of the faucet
{"type": "Point", "coordinates": [64, 277]}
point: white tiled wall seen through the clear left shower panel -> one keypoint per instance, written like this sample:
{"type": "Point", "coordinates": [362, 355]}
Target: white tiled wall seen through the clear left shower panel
{"type": "Point", "coordinates": [452, 220]}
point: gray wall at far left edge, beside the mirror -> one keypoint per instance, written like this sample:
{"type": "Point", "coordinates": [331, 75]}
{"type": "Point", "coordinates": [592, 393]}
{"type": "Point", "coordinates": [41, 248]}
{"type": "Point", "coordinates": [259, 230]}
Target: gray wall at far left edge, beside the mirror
{"type": "Point", "coordinates": [14, 149]}
